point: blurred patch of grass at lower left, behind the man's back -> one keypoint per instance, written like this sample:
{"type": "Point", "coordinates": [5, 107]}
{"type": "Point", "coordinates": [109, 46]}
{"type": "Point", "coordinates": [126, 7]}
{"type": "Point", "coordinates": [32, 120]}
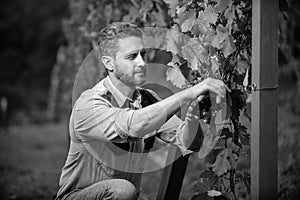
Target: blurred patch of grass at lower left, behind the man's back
{"type": "Point", "coordinates": [30, 161]}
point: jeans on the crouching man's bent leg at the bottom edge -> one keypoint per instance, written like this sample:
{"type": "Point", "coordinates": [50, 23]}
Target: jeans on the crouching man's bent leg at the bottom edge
{"type": "Point", "coordinates": [112, 189]}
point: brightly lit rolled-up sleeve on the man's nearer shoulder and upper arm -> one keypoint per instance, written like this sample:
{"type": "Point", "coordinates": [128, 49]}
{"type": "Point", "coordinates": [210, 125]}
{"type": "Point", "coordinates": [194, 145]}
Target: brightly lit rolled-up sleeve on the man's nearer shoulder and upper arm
{"type": "Point", "coordinates": [95, 118]}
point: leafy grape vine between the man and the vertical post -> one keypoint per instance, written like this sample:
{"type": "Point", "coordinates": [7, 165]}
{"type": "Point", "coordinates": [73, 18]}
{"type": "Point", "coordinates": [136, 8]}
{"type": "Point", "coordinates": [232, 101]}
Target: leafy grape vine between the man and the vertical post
{"type": "Point", "coordinates": [219, 46]}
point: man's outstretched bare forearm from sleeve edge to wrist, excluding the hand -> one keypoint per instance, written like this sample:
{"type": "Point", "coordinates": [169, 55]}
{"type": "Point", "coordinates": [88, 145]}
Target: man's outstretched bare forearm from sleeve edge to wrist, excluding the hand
{"type": "Point", "coordinates": [154, 116]}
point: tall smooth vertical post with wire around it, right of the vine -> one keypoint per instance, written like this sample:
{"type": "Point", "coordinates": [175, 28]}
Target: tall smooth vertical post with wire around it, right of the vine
{"type": "Point", "coordinates": [264, 99]}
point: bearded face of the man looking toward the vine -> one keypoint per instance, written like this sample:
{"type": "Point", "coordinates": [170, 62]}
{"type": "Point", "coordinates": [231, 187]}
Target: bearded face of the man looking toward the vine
{"type": "Point", "coordinates": [130, 65]}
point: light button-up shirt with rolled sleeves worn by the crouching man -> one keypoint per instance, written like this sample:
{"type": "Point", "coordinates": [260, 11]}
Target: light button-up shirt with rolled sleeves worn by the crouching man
{"type": "Point", "coordinates": [100, 143]}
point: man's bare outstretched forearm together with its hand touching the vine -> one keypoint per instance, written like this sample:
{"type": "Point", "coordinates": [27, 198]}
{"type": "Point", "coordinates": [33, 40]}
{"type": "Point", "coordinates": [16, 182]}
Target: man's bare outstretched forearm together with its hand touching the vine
{"type": "Point", "coordinates": [152, 117]}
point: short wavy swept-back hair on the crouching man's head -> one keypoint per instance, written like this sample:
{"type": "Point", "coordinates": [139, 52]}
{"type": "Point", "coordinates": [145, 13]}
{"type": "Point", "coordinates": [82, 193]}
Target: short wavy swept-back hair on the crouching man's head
{"type": "Point", "coordinates": [107, 38]}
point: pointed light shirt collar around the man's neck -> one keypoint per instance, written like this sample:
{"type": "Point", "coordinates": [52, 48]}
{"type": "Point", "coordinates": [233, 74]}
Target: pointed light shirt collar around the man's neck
{"type": "Point", "coordinates": [118, 95]}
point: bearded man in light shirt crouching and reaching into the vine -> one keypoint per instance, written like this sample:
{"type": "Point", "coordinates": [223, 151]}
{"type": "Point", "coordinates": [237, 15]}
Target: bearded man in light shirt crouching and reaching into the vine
{"type": "Point", "coordinates": [115, 123]}
